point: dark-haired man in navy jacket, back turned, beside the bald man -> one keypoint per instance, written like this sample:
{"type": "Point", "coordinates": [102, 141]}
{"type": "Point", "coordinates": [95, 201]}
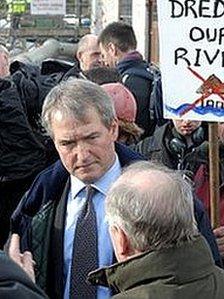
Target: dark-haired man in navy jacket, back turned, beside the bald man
{"type": "Point", "coordinates": [118, 49]}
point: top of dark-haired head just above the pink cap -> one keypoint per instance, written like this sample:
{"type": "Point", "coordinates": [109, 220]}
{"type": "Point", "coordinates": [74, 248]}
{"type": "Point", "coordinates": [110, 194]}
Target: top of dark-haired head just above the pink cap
{"type": "Point", "coordinates": [103, 75]}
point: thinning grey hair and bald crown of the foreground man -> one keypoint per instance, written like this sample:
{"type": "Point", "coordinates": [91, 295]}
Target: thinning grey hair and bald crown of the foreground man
{"type": "Point", "coordinates": [153, 205]}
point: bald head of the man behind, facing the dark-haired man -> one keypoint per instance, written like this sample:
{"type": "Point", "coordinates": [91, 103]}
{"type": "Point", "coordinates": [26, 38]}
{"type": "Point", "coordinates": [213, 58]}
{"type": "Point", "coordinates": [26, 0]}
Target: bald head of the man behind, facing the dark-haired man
{"type": "Point", "coordinates": [88, 52]}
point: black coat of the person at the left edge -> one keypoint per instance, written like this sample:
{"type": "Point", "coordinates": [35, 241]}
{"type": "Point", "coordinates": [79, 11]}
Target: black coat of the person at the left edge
{"type": "Point", "coordinates": [24, 149]}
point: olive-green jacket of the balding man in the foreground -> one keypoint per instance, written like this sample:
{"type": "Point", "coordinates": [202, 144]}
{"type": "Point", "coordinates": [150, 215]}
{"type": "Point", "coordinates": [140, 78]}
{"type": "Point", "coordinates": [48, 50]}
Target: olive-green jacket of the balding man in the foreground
{"type": "Point", "coordinates": [185, 272]}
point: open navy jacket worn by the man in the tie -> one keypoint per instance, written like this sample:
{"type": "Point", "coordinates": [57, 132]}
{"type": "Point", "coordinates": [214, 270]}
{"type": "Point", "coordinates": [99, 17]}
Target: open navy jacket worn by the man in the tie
{"type": "Point", "coordinates": [39, 221]}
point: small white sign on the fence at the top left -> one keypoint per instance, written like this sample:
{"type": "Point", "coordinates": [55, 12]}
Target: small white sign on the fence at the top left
{"type": "Point", "coordinates": [48, 7]}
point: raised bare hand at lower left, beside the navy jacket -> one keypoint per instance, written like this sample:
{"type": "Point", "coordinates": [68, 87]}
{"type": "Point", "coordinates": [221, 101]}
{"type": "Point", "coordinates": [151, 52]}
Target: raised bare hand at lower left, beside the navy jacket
{"type": "Point", "coordinates": [24, 260]}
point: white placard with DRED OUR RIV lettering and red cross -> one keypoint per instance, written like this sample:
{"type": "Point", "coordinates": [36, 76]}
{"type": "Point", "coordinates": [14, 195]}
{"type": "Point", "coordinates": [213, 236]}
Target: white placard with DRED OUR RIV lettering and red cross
{"type": "Point", "coordinates": [191, 34]}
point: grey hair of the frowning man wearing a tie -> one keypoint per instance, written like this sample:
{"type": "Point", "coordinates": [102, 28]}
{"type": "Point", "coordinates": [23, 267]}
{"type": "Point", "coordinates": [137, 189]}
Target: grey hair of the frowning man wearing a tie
{"type": "Point", "coordinates": [74, 98]}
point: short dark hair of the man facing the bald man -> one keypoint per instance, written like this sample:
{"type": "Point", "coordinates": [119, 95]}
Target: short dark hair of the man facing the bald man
{"type": "Point", "coordinates": [120, 34]}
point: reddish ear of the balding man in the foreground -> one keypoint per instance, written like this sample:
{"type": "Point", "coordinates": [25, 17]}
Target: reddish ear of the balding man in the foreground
{"type": "Point", "coordinates": [121, 243]}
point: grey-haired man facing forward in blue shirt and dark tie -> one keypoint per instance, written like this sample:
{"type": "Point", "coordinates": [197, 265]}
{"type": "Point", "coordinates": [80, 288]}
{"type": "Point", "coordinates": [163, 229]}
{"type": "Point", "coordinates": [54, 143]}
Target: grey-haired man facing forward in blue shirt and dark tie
{"type": "Point", "coordinates": [80, 118]}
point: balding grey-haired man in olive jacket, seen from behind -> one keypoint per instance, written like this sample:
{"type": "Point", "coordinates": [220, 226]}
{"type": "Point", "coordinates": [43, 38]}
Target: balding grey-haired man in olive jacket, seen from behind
{"type": "Point", "coordinates": [155, 238]}
